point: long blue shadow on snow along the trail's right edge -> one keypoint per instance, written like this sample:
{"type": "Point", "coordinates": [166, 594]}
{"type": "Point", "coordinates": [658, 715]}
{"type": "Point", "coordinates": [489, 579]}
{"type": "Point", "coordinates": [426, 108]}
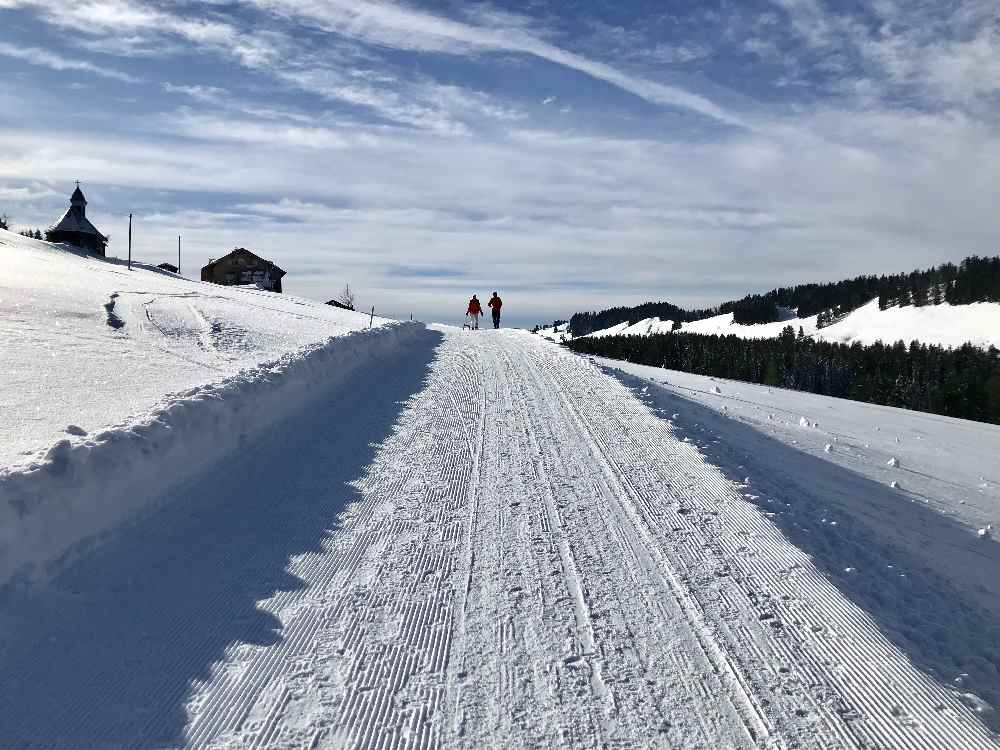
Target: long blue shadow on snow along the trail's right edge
{"type": "Point", "coordinates": [909, 566]}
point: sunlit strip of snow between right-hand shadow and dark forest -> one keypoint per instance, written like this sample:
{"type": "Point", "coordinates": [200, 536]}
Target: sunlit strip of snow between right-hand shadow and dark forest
{"type": "Point", "coordinates": [949, 464]}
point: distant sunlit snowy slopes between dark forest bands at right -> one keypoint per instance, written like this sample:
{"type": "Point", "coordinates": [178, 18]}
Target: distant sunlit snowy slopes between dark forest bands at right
{"type": "Point", "coordinates": [945, 325]}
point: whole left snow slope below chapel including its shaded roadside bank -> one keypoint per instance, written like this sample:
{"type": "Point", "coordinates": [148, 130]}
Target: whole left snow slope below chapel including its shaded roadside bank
{"type": "Point", "coordinates": [168, 376]}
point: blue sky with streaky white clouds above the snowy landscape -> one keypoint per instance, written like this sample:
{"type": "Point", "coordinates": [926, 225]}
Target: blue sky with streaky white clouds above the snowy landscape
{"type": "Point", "coordinates": [573, 154]}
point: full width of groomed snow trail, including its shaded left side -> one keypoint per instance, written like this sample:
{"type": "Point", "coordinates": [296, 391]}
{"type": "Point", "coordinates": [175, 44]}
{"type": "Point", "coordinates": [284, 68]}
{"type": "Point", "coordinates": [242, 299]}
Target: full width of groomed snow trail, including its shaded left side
{"type": "Point", "coordinates": [487, 543]}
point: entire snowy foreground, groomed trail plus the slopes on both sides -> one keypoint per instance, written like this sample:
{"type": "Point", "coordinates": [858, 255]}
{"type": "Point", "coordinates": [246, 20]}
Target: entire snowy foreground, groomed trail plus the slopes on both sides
{"type": "Point", "coordinates": [234, 519]}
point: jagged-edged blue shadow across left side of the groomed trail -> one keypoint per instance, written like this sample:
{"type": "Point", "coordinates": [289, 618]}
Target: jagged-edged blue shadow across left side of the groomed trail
{"type": "Point", "coordinates": [106, 655]}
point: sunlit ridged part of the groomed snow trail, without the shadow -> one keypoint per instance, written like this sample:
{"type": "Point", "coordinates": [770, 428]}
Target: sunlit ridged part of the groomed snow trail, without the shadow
{"type": "Point", "coordinates": [534, 559]}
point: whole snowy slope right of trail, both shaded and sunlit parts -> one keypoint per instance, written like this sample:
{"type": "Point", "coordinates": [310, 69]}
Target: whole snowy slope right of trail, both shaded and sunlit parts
{"type": "Point", "coordinates": [898, 508]}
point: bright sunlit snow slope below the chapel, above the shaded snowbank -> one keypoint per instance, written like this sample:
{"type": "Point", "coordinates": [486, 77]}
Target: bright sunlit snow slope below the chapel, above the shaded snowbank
{"type": "Point", "coordinates": [88, 344]}
